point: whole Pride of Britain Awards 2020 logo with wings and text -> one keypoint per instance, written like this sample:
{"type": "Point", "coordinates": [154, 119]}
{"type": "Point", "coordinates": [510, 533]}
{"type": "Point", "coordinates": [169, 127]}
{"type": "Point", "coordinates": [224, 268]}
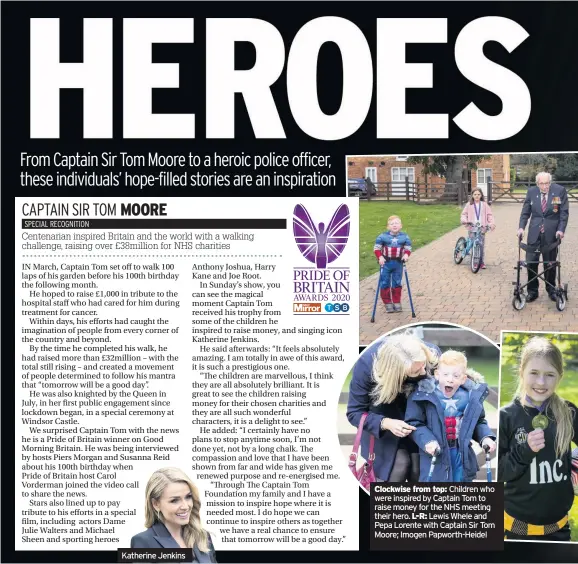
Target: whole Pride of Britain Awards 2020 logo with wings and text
{"type": "Point", "coordinates": [321, 288]}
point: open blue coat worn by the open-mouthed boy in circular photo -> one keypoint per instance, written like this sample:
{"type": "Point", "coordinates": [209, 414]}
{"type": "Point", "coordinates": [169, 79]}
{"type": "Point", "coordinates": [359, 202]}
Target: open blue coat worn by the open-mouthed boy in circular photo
{"type": "Point", "coordinates": [425, 411]}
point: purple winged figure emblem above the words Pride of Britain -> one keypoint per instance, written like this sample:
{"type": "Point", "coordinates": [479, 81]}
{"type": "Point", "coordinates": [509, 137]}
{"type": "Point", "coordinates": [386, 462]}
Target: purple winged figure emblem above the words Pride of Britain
{"type": "Point", "coordinates": [319, 245]}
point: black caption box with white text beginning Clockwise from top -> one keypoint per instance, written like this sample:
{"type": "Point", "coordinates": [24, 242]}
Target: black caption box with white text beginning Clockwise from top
{"type": "Point", "coordinates": [437, 516]}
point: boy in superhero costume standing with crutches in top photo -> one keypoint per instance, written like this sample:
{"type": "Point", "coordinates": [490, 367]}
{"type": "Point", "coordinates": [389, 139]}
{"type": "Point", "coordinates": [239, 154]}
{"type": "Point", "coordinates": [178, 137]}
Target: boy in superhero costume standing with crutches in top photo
{"type": "Point", "coordinates": [392, 248]}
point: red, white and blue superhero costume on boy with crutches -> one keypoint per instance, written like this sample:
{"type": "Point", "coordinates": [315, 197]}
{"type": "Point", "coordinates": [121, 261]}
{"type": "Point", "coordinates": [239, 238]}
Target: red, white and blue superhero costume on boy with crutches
{"type": "Point", "coordinates": [392, 247]}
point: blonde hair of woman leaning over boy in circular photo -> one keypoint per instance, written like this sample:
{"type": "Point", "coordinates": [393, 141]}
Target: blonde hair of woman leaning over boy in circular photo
{"type": "Point", "coordinates": [392, 363]}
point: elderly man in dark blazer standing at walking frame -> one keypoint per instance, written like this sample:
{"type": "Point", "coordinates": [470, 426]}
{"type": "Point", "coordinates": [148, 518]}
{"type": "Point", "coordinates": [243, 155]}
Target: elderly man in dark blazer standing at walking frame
{"type": "Point", "coordinates": [546, 206]}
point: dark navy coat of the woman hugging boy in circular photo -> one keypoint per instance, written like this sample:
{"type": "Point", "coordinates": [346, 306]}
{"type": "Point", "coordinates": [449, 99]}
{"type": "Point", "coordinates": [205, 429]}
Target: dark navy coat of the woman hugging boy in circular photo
{"type": "Point", "coordinates": [360, 388]}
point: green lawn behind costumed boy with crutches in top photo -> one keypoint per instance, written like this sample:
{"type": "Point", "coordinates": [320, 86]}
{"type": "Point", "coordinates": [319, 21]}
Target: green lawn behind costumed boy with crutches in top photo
{"type": "Point", "coordinates": [423, 224]}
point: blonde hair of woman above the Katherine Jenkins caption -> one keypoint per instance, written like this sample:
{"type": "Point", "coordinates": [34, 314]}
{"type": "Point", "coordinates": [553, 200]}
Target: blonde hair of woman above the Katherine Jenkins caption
{"type": "Point", "coordinates": [193, 531]}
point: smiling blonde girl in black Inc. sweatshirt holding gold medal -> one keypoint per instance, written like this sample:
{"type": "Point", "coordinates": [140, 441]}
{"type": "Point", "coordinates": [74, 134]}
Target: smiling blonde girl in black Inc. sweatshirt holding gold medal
{"type": "Point", "coordinates": [535, 442]}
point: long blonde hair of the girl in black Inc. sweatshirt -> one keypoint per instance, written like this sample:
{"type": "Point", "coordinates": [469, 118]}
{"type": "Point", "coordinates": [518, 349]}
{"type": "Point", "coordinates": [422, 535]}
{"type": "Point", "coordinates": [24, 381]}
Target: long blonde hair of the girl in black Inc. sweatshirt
{"type": "Point", "coordinates": [562, 413]}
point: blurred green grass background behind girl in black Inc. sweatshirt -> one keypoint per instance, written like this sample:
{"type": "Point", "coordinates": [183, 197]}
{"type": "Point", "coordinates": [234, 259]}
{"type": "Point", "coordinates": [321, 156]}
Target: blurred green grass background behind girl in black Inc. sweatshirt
{"type": "Point", "coordinates": [568, 388]}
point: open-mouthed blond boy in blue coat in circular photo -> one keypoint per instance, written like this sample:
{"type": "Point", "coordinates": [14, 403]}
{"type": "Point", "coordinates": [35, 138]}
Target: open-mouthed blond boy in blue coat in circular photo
{"type": "Point", "coordinates": [458, 393]}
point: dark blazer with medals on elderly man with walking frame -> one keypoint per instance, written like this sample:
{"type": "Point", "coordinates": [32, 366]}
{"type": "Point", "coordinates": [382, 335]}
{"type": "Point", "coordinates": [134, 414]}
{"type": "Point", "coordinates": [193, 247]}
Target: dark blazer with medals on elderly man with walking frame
{"type": "Point", "coordinates": [555, 218]}
